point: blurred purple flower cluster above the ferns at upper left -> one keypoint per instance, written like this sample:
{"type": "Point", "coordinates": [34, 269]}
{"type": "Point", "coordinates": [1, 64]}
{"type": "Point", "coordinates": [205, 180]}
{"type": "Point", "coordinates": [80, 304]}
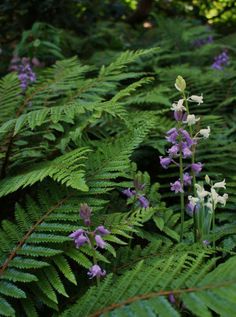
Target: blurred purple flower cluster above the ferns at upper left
{"type": "Point", "coordinates": [23, 67]}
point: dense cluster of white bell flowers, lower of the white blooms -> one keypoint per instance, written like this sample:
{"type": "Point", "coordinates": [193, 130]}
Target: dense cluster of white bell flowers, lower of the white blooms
{"type": "Point", "coordinates": [211, 198]}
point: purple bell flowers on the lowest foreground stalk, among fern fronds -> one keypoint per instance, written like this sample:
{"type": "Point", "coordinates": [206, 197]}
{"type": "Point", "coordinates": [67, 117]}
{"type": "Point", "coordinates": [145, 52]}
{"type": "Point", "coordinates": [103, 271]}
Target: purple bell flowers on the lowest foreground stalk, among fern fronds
{"type": "Point", "coordinates": [92, 238]}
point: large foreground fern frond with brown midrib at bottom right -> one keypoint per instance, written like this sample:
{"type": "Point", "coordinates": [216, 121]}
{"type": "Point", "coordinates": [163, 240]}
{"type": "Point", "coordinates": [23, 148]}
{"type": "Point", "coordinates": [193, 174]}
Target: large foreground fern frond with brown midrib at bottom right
{"type": "Point", "coordinates": [144, 289]}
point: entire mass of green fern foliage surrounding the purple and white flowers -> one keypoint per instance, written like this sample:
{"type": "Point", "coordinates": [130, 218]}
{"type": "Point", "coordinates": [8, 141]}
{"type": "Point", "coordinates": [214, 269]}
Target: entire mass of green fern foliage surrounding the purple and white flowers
{"type": "Point", "coordinates": [78, 135]}
